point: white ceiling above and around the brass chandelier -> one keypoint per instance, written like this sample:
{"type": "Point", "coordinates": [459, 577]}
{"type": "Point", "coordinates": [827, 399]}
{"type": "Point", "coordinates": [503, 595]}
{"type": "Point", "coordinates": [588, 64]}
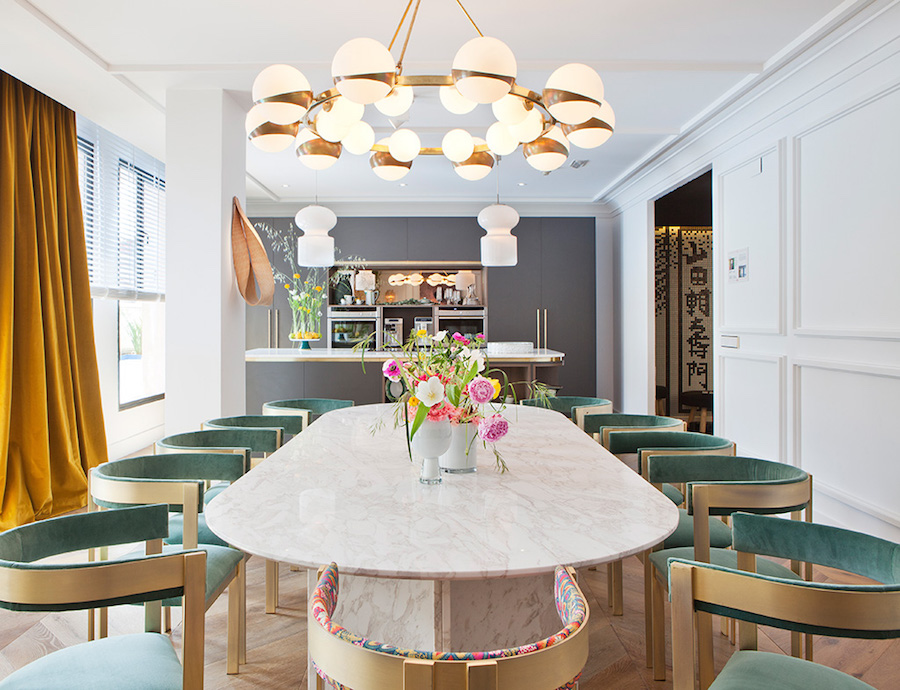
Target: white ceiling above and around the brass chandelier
{"type": "Point", "coordinates": [664, 64]}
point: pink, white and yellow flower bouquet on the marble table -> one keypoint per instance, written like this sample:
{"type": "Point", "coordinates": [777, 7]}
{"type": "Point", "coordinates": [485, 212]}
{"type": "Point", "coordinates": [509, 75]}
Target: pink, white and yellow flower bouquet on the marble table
{"type": "Point", "coordinates": [445, 379]}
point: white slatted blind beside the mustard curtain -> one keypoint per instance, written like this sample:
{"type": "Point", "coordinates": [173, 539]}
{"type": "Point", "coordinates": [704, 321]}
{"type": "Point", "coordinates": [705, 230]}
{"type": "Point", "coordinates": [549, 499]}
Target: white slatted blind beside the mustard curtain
{"type": "Point", "coordinates": [123, 194]}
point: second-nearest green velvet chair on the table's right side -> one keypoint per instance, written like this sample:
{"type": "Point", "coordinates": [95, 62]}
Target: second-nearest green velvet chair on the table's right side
{"type": "Point", "coordinates": [716, 486]}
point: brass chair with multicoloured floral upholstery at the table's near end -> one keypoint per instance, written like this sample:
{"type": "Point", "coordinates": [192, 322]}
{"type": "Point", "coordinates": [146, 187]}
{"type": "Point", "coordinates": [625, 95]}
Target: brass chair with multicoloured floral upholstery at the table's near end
{"type": "Point", "coordinates": [351, 662]}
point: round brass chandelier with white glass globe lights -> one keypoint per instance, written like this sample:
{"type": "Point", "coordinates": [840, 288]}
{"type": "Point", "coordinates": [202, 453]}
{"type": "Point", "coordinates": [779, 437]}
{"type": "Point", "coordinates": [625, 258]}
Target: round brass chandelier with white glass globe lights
{"type": "Point", "coordinates": [570, 110]}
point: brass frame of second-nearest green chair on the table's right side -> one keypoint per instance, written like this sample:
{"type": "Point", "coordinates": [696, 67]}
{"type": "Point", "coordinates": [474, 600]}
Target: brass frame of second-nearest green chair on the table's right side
{"type": "Point", "coordinates": [714, 498]}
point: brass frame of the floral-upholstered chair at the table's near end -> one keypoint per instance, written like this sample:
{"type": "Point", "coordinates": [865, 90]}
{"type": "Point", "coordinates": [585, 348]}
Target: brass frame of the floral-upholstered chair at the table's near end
{"type": "Point", "coordinates": [355, 666]}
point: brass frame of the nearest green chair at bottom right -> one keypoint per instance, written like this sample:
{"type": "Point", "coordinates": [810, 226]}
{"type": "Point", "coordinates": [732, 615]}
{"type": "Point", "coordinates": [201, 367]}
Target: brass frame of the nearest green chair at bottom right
{"type": "Point", "coordinates": [859, 608]}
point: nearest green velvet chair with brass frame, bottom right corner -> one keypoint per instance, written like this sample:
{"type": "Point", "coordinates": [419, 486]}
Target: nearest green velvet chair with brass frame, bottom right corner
{"type": "Point", "coordinates": [700, 590]}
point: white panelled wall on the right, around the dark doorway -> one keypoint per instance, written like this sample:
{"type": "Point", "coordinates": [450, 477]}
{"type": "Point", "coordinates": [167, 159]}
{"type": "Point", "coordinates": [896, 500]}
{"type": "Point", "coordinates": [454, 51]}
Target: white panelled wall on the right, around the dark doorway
{"type": "Point", "coordinates": [805, 171]}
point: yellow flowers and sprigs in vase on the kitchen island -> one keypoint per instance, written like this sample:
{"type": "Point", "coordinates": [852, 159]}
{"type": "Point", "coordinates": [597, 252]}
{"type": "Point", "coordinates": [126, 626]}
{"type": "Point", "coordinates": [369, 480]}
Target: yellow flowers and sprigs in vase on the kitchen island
{"type": "Point", "coordinates": [306, 287]}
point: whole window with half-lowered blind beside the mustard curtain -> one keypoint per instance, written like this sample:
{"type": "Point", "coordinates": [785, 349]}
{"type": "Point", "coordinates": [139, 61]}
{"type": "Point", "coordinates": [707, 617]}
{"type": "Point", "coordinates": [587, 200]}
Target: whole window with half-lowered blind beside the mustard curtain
{"type": "Point", "coordinates": [123, 192]}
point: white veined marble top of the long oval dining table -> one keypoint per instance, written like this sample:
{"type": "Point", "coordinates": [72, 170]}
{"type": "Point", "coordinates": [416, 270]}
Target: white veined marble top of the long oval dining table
{"type": "Point", "coordinates": [345, 490]}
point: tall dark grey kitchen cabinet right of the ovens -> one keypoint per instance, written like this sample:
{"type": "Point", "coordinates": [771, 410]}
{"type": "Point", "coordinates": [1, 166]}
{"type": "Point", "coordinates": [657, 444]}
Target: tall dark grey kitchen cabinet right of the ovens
{"type": "Point", "coordinates": [555, 272]}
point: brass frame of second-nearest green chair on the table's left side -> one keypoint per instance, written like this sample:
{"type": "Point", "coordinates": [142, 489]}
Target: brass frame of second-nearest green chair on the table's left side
{"type": "Point", "coordinates": [188, 494]}
